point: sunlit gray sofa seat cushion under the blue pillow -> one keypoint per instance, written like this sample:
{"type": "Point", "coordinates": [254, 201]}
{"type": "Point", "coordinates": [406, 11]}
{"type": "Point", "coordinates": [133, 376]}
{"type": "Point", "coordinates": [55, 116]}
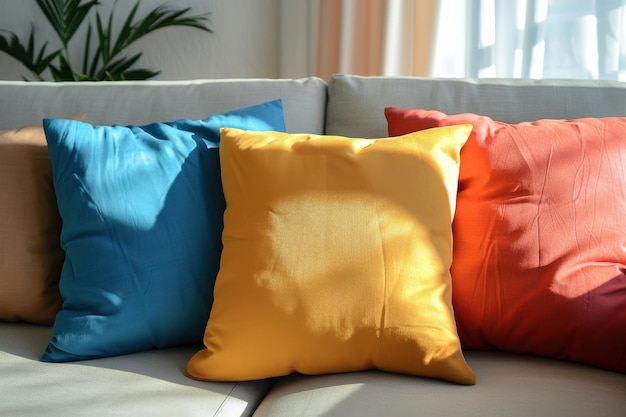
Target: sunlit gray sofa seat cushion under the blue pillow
{"type": "Point", "coordinates": [150, 383]}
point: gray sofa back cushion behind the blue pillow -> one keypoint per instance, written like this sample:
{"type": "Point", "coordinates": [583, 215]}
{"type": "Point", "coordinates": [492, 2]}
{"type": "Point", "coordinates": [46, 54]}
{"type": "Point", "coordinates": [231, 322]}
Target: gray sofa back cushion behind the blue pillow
{"type": "Point", "coordinates": [141, 102]}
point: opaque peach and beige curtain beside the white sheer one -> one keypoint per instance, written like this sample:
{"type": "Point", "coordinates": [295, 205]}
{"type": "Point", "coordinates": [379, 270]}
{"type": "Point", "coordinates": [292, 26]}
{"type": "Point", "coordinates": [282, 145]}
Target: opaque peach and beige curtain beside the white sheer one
{"type": "Point", "coordinates": [364, 37]}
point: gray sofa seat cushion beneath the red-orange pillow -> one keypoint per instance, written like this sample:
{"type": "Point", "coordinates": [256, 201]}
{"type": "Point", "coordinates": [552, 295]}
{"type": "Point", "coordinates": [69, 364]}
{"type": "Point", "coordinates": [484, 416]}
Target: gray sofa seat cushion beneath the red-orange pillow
{"type": "Point", "coordinates": [508, 385]}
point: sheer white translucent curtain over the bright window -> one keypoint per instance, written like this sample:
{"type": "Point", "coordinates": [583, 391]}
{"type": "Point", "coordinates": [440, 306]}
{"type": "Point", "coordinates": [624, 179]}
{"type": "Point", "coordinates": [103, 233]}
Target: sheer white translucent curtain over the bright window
{"type": "Point", "coordinates": [531, 39]}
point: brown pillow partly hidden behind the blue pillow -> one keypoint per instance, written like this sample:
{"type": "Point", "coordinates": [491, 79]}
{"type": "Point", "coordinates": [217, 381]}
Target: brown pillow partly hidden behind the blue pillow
{"type": "Point", "coordinates": [30, 225]}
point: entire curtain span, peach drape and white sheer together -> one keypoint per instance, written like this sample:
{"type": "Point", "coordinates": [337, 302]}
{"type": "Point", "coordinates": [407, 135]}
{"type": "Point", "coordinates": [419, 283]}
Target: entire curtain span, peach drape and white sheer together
{"type": "Point", "coordinates": [455, 38]}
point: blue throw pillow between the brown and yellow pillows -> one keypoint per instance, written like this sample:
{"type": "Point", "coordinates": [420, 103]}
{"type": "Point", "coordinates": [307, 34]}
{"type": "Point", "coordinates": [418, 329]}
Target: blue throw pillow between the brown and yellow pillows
{"type": "Point", "coordinates": [142, 210]}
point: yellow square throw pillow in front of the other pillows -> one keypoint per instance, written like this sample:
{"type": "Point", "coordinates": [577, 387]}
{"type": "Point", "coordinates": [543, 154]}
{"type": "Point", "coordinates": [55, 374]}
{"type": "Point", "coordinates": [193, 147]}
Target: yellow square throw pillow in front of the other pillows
{"type": "Point", "coordinates": [336, 257]}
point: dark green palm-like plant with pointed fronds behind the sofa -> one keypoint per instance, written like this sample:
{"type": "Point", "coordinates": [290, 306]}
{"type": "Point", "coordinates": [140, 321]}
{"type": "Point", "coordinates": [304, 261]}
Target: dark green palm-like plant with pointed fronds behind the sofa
{"type": "Point", "coordinates": [105, 62]}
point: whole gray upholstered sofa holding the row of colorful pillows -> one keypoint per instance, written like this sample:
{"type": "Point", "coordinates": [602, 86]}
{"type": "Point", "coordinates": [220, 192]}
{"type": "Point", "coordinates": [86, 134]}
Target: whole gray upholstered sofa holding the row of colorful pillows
{"type": "Point", "coordinates": [154, 382]}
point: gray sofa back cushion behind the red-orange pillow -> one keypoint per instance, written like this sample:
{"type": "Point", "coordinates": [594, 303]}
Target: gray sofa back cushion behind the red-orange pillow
{"type": "Point", "coordinates": [356, 104]}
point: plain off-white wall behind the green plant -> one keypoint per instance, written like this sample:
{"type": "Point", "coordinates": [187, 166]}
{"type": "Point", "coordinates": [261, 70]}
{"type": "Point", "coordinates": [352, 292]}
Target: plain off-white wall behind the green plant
{"type": "Point", "coordinates": [245, 42]}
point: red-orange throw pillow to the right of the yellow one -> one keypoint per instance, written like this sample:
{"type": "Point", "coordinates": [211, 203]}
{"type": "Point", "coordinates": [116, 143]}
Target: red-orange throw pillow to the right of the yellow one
{"type": "Point", "coordinates": [539, 243]}
